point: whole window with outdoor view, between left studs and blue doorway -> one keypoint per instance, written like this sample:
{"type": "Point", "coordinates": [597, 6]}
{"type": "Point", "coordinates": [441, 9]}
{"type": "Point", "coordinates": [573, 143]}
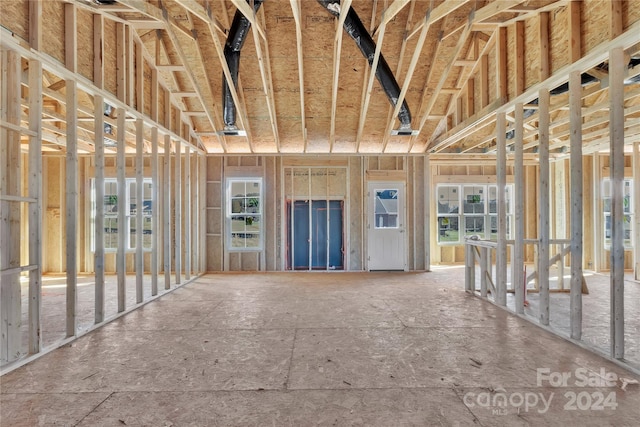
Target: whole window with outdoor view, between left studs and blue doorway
{"type": "Point", "coordinates": [244, 214]}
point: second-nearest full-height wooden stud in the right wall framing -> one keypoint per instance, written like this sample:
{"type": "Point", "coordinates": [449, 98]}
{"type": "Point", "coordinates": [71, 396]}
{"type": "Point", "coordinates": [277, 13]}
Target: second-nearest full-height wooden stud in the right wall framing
{"type": "Point", "coordinates": [575, 123]}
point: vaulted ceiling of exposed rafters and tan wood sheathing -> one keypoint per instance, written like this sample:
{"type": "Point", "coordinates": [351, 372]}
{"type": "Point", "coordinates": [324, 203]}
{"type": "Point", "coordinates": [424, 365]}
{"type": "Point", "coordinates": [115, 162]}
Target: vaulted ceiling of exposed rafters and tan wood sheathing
{"type": "Point", "coordinates": [304, 86]}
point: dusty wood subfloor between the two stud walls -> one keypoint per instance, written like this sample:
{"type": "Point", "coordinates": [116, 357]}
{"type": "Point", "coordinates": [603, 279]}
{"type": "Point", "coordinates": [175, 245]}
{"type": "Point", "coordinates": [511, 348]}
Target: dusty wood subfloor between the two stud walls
{"type": "Point", "coordinates": [320, 349]}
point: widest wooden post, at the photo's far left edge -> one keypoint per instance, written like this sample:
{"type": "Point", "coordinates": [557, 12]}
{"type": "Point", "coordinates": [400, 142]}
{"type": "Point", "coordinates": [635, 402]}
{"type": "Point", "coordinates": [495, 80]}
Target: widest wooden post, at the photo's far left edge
{"type": "Point", "coordinates": [10, 179]}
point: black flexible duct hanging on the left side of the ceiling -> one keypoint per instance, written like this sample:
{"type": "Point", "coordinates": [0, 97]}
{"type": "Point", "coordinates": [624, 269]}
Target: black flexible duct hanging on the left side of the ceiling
{"type": "Point", "coordinates": [235, 40]}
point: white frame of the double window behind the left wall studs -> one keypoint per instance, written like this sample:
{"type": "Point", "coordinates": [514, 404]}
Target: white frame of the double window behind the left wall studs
{"type": "Point", "coordinates": [129, 243]}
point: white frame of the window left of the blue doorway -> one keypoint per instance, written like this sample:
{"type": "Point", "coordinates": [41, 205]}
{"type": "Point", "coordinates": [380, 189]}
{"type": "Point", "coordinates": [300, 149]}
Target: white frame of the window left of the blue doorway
{"type": "Point", "coordinates": [259, 213]}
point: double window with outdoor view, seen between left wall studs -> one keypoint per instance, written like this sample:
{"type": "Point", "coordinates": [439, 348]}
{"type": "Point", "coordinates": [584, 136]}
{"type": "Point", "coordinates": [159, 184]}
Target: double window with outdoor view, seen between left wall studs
{"type": "Point", "coordinates": [111, 206]}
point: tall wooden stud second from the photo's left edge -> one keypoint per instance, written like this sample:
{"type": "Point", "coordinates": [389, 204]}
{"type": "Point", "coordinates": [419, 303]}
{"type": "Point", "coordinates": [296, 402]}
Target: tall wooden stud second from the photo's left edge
{"type": "Point", "coordinates": [35, 208]}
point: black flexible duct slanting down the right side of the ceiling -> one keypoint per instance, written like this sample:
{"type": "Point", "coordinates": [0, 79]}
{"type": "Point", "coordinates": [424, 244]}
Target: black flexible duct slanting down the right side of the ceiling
{"type": "Point", "coordinates": [354, 27]}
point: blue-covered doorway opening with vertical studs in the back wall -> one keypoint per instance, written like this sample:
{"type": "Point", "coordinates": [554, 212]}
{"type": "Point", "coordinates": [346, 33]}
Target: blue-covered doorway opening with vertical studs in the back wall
{"type": "Point", "coordinates": [315, 235]}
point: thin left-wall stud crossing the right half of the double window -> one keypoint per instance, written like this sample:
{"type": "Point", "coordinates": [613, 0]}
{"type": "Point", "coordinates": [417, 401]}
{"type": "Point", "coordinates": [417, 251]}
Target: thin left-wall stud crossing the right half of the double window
{"type": "Point", "coordinates": [139, 210]}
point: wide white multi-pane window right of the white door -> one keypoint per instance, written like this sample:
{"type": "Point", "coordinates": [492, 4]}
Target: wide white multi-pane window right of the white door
{"type": "Point", "coordinates": [465, 210]}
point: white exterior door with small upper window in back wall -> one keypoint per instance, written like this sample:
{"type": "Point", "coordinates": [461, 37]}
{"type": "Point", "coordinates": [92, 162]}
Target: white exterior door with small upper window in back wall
{"type": "Point", "coordinates": [386, 226]}
